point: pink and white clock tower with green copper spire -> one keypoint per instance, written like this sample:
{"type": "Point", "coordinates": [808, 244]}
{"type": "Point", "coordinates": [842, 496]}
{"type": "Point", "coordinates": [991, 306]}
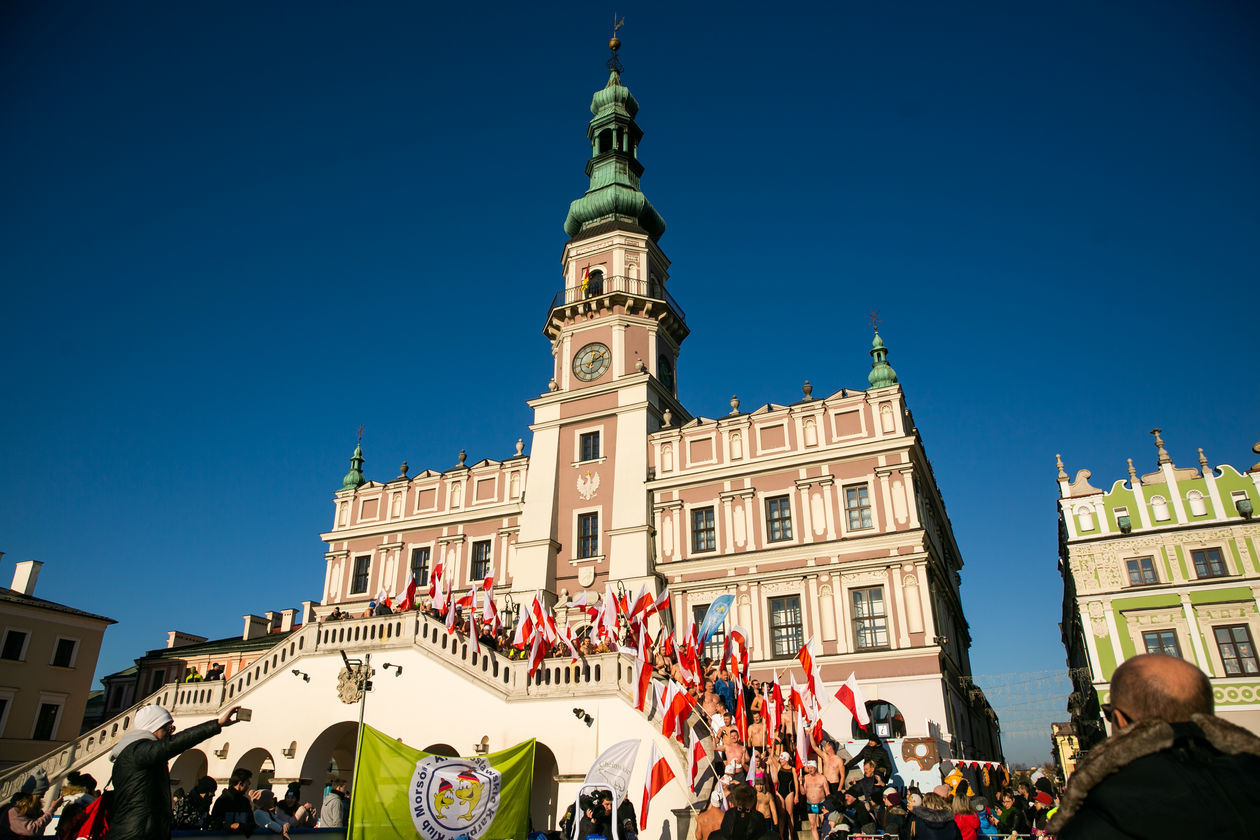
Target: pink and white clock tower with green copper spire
{"type": "Point", "coordinates": [616, 334]}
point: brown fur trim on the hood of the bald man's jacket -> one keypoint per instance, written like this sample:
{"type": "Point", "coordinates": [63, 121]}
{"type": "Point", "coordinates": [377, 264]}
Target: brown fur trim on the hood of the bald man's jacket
{"type": "Point", "coordinates": [1138, 741]}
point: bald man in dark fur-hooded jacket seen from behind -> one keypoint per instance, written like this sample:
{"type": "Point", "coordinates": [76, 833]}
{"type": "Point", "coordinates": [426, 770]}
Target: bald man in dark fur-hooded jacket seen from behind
{"type": "Point", "coordinates": [1171, 769]}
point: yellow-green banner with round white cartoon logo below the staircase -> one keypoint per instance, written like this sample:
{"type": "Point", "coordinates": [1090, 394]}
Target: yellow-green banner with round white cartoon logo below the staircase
{"type": "Point", "coordinates": [404, 793]}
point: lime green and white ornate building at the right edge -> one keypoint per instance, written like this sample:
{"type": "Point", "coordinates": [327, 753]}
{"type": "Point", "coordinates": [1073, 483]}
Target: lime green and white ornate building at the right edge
{"type": "Point", "coordinates": [1166, 562]}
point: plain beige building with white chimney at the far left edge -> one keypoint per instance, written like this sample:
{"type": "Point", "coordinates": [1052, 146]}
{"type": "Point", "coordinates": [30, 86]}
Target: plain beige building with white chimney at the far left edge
{"type": "Point", "coordinates": [47, 659]}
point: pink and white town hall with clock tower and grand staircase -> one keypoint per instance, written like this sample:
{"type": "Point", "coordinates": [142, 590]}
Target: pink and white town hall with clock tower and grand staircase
{"type": "Point", "coordinates": [821, 517]}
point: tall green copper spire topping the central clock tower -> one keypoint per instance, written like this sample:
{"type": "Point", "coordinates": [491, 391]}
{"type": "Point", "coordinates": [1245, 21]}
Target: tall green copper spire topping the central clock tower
{"type": "Point", "coordinates": [614, 167]}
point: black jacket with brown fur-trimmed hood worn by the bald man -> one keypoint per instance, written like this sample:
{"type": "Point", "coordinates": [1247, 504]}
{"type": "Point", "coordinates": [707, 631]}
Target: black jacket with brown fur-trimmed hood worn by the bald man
{"type": "Point", "coordinates": [1165, 780]}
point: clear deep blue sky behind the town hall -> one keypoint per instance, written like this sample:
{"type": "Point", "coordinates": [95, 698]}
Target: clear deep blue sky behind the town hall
{"type": "Point", "coordinates": [235, 232]}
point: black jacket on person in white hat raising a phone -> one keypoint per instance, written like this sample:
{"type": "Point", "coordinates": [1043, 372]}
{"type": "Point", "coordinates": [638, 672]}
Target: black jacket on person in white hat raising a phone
{"type": "Point", "coordinates": [142, 783]}
